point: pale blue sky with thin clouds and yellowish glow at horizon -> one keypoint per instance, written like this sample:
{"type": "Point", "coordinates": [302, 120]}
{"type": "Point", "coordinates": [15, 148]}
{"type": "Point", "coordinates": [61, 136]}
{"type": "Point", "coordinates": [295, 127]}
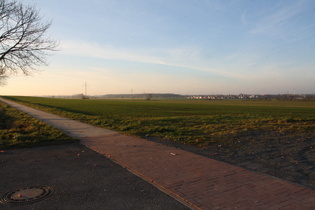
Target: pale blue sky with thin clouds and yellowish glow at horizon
{"type": "Point", "coordinates": [192, 47]}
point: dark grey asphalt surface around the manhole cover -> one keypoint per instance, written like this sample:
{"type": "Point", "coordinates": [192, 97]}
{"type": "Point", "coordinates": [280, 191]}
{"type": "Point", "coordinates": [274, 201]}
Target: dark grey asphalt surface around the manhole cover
{"type": "Point", "coordinates": [81, 178]}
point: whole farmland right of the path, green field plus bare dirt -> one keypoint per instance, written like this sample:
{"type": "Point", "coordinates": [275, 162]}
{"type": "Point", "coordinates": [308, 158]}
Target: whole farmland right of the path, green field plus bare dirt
{"type": "Point", "coordinates": [273, 137]}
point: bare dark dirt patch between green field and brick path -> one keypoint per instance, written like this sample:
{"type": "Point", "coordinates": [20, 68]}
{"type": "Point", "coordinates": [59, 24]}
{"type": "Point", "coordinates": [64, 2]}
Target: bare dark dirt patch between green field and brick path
{"type": "Point", "coordinates": [287, 156]}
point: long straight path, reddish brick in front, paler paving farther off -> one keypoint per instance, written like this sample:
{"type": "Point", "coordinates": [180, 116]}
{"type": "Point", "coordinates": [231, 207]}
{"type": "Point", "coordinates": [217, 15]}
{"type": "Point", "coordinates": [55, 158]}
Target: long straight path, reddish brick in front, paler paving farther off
{"type": "Point", "coordinates": [199, 181]}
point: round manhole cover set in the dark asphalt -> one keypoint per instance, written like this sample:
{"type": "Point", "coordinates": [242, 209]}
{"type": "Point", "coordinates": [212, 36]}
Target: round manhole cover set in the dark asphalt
{"type": "Point", "coordinates": [27, 195]}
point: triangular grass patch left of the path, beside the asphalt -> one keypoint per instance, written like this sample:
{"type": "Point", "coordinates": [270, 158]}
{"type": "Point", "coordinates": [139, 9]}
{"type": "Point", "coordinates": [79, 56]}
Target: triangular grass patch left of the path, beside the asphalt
{"type": "Point", "coordinates": [19, 130]}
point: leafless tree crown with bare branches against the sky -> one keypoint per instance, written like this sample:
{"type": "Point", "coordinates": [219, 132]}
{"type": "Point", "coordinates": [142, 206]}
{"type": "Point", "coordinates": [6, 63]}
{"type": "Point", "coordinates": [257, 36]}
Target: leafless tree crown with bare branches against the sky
{"type": "Point", "coordinates": [23, 41]}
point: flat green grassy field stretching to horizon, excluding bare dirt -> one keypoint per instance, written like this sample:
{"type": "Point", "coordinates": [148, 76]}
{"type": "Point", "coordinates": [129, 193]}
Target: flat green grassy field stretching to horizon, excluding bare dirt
{"type": "Point", "coordinates": [199, 123]}
